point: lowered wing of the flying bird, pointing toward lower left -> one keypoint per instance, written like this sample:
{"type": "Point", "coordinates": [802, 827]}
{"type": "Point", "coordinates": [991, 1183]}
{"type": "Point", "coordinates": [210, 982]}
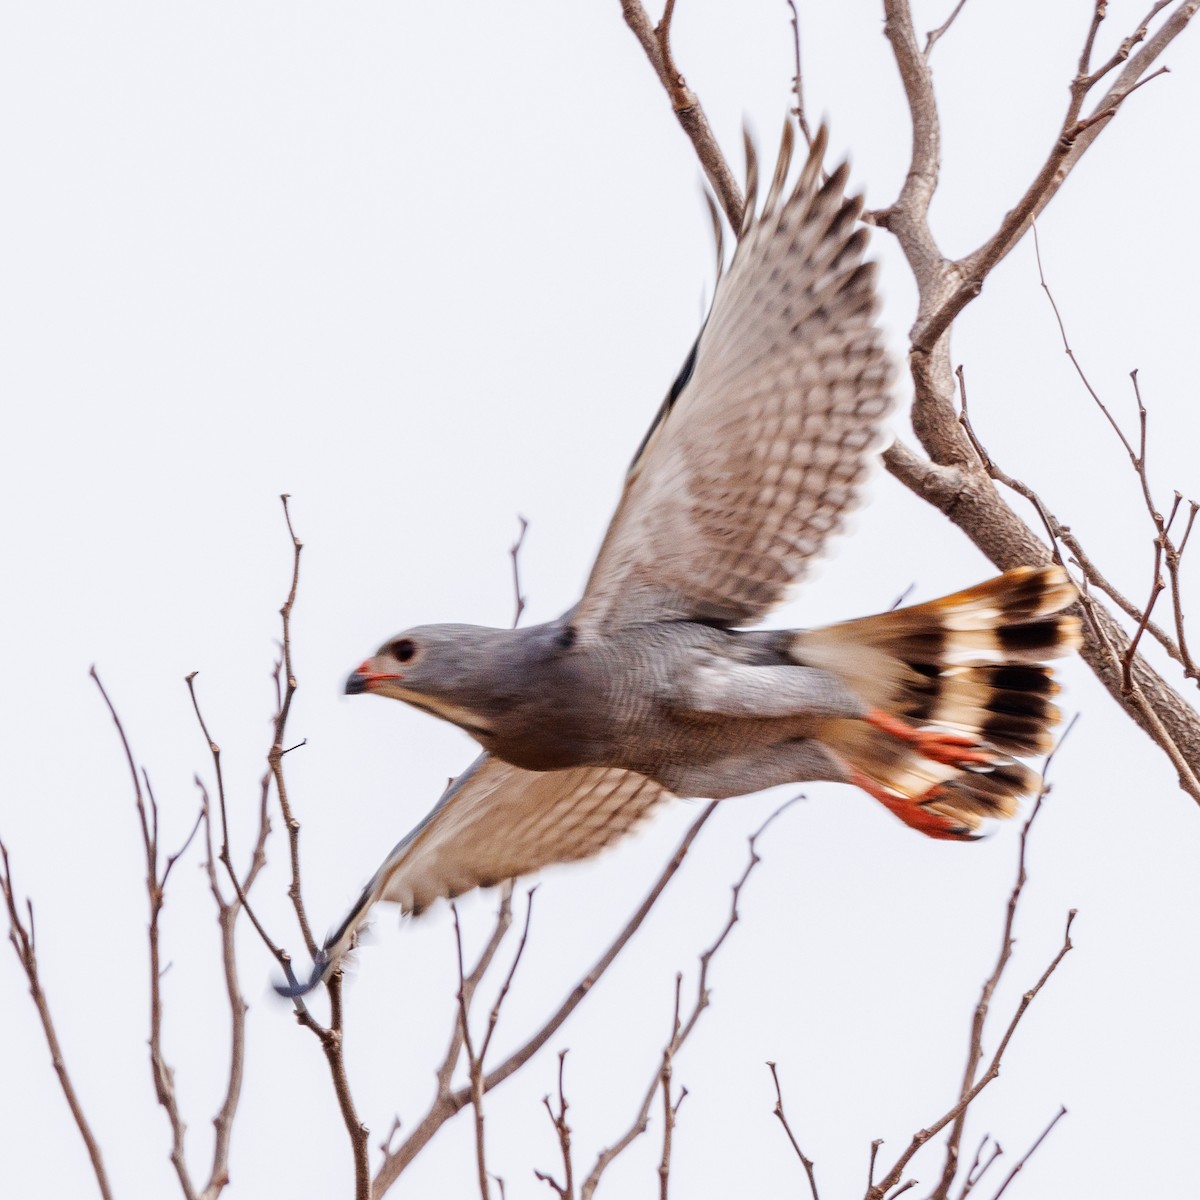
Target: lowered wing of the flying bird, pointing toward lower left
{"type": "Point", "coordinates": [494, 824]}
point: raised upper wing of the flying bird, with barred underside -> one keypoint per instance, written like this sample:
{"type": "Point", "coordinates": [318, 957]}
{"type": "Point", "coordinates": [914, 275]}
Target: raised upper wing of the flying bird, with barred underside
{"type": "Point", "coordinates": [765, 441]}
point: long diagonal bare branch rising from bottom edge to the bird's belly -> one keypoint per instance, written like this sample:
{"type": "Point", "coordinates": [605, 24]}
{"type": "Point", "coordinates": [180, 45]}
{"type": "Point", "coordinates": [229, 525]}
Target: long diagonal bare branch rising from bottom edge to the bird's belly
{"type": "Point", "coordinates": [448, 1103]}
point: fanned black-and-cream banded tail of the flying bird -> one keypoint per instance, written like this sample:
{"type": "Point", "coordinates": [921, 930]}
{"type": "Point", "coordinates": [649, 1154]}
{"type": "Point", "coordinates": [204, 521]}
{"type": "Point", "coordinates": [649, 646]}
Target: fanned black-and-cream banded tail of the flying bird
{"type": "Point", "coordinates": [959, 688]}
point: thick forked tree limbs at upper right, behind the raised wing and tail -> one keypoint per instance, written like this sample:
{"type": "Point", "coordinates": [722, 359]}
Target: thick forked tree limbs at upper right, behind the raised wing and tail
{"type": "Point", "coordinates": [951, 479]}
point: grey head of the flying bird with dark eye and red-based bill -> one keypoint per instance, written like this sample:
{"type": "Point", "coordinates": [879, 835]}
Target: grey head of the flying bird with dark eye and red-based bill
{"type": "Point", "coordinates": [451, 671]}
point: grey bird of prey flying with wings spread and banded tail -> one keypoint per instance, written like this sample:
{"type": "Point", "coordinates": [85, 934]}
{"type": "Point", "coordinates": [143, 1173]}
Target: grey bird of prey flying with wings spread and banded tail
{"type": "Point", "coordinates": [655, 686]}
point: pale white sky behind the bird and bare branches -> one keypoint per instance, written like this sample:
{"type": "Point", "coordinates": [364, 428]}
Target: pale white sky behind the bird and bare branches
{"type": "Point", "coordinates": [427, 267]}
